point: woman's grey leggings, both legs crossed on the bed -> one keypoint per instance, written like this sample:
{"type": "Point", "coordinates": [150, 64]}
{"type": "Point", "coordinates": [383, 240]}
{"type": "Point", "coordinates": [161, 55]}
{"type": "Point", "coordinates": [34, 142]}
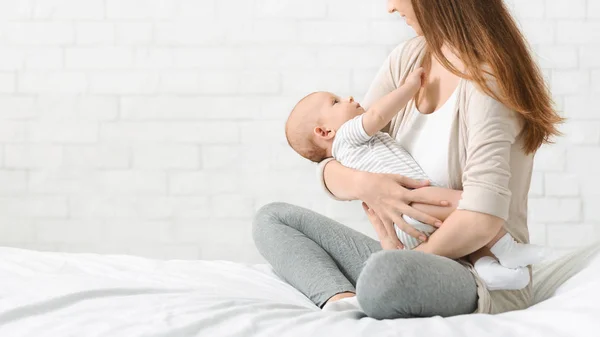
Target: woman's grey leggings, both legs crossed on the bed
{"type": "Point", "coordinates": [321, 257]}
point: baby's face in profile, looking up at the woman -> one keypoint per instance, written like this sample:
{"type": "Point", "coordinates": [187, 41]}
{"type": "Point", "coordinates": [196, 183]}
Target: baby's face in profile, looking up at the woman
{"type": "Point", "coordinates": [336, 111]}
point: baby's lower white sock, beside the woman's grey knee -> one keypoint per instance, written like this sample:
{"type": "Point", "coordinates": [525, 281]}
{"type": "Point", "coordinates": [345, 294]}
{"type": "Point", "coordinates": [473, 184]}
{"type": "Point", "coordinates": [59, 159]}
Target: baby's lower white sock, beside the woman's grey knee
{"type": "Point", "coordinates": [497, 277]}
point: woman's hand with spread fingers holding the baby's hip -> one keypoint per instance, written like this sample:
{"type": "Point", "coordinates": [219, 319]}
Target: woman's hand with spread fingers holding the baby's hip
{"type": "Point", "coordinates": [389, 197]}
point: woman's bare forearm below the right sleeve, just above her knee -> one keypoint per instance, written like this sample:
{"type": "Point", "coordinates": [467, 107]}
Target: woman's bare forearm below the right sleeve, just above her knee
{"type": "Point", "coordinates": [461, 234]}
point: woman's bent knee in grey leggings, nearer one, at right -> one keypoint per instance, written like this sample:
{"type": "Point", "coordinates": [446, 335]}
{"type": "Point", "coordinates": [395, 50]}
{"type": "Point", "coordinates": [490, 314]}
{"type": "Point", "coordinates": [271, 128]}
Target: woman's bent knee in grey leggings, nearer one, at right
{"type": "Point", "coordinates": [403, 284]}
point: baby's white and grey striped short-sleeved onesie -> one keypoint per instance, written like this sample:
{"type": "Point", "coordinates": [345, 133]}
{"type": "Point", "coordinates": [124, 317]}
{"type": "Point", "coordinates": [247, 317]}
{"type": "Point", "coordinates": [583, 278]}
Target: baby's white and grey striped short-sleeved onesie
{"type": "Point", "coordinates": [380, 153]}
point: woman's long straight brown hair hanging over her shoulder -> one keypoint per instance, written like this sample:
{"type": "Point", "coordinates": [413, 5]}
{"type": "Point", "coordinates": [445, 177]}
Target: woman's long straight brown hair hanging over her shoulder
{"type": "Point", "coordinates": [488, 41]}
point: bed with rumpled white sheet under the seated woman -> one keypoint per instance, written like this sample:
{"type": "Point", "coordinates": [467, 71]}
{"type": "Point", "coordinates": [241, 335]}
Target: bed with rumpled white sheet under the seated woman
{"type": "Point", "coordinates": [59, 294]}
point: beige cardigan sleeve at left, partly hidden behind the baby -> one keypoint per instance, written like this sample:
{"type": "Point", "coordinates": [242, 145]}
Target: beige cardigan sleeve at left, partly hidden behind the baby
{"type": "Point", "coordinates": [386, 80]}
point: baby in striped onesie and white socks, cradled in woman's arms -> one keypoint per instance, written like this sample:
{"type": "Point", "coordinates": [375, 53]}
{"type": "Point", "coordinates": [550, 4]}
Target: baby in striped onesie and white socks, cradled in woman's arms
{"type": "Point", "coordinates": [322, 125]}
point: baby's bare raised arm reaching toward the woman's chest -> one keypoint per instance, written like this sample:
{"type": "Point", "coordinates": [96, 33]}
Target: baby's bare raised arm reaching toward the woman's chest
{"type": "Point", "coordinates": [381, 113]}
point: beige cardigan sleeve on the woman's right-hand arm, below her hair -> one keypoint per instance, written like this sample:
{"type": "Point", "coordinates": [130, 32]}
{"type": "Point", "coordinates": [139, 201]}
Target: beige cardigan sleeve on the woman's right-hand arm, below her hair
{"type": "Point", "coordinates": [491, 130]}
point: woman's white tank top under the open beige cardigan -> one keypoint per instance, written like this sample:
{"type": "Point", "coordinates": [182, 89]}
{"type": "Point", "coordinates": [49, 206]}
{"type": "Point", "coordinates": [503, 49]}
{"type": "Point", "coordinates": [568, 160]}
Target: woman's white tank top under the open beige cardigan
{"type": "Point", "coordinates": [427, 140]}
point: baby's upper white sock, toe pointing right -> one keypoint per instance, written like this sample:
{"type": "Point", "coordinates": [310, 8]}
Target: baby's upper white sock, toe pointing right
{"type": "Point", "coordinates": [512, 254]}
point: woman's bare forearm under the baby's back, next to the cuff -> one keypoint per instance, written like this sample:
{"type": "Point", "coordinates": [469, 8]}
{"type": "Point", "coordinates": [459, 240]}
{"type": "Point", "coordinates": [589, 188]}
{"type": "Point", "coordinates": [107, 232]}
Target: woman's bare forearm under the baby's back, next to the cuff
{"type": "Point", "coordinates": [342, 181]}
